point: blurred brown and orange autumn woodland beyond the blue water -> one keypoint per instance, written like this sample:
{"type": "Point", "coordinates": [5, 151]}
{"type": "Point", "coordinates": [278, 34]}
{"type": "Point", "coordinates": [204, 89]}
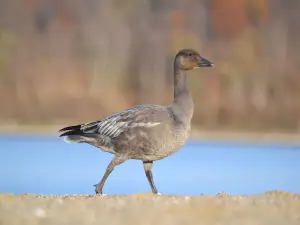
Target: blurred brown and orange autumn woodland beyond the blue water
{"type": "Point", "coordinates": [65, 61]}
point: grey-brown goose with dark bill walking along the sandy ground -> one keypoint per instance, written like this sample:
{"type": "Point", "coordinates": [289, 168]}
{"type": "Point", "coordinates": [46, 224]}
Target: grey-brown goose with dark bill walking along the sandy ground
{"type": "Point", "coordinates": [145, 132]}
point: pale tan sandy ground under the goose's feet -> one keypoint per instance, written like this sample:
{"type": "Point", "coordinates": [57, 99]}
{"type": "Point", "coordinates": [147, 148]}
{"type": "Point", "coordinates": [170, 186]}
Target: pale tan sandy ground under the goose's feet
{"type": "Point", "coordinates": [270, 208]}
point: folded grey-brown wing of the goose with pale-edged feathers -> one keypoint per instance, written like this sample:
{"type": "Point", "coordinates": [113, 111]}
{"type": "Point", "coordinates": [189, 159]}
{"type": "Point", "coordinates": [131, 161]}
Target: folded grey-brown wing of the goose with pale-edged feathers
{"type": "Point", "coordinates": [114, 125]}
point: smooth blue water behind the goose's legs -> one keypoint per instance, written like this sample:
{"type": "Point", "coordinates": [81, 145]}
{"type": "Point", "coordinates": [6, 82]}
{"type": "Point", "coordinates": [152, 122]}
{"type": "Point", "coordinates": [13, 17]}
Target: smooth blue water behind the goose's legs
{"type": "Point", "coordinates": [48, 165]}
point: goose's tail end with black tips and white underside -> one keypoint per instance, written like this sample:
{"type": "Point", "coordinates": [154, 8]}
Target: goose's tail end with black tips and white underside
{"type": "Point", "coordinates": [72, 134]}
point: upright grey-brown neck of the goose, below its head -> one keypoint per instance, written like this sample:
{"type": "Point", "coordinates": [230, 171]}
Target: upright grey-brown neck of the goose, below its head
{"type": "Point", "coordinates": [183, 102]}
